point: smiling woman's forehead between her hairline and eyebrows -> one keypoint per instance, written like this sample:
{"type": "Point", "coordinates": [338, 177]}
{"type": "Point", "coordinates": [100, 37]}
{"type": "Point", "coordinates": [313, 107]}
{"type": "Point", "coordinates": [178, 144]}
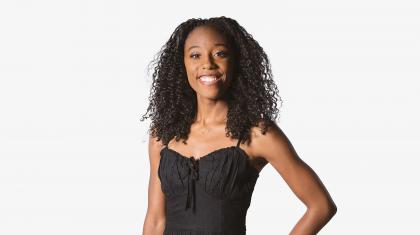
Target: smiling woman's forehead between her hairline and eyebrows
{"type": "Point", "coordinates": [203, 36]}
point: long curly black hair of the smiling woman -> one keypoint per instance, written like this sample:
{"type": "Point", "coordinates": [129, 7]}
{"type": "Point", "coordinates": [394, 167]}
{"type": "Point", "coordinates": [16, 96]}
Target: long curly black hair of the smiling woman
{"type": "Point", "coordinates": [252, 97]}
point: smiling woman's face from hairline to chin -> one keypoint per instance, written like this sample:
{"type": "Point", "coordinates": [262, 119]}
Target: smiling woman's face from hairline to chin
{"type": "Point", "coordinates": [208, 62]}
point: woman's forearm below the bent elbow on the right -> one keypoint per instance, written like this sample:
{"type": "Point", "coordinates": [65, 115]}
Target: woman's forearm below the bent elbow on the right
{"type": "Point", "coordinates": [312, 221]}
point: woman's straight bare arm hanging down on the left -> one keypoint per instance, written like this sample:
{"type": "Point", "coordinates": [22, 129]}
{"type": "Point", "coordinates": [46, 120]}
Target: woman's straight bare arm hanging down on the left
{"type": "Point", "coordinates": [154, 222]}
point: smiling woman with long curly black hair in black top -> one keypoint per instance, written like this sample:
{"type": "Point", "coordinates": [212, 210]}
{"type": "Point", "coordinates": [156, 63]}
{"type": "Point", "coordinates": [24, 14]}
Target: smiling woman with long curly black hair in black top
{"type": "Point", "coordinates": [213, 89]}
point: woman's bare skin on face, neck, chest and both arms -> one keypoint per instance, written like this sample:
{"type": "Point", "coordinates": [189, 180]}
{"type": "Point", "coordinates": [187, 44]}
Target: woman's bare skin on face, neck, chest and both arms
{"type": "Point", "coordinates": [204, 54]}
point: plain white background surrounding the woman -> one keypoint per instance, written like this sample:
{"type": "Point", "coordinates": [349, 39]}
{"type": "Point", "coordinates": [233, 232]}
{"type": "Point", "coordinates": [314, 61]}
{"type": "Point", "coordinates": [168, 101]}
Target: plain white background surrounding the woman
{"type": "Point", "coordinates": [74, 85]}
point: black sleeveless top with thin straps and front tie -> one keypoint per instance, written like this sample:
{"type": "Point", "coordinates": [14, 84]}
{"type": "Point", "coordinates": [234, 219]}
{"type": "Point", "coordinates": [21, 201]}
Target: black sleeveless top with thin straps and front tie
{"type": "Point", "coordinates": [209, 195]}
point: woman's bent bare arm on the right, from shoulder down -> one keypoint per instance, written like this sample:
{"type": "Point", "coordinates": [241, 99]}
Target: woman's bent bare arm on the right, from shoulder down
{"type": "Point", "coordinates": [275, 147]}
